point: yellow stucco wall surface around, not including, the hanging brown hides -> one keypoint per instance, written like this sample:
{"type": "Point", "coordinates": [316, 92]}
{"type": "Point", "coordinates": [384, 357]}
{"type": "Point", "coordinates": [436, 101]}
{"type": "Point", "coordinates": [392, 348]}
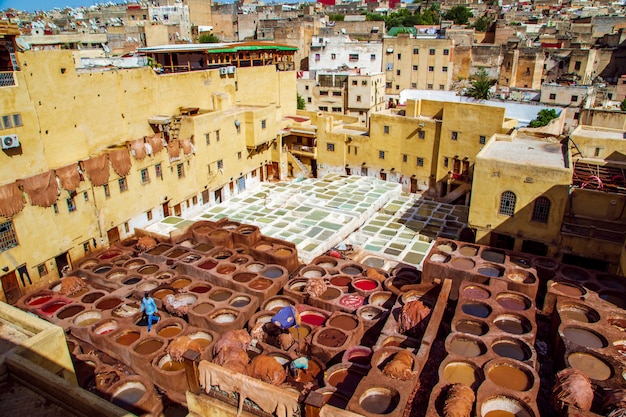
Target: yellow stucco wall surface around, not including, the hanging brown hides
{"type": "Point", "coordinates": [71, 115]}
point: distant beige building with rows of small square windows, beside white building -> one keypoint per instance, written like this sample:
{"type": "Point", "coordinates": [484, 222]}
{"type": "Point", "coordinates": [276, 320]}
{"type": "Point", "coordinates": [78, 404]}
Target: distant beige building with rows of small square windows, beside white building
{"type": "Point", "coordinates": [424, 63]}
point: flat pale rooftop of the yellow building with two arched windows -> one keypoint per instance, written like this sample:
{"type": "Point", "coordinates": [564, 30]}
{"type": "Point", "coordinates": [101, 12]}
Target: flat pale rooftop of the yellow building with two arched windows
{"type": "Point", "coordinates": [525, 150]}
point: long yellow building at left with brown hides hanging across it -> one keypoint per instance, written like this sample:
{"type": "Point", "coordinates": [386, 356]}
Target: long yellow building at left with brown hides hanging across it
{"type": "Point", "coordinates": [100, 132]}
